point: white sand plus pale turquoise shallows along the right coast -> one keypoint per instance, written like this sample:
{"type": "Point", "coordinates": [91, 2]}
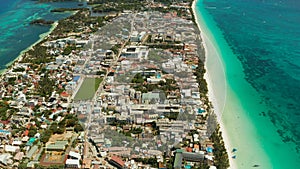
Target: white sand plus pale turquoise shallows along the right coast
{"type": "Point", "coordinates": [230, 95]}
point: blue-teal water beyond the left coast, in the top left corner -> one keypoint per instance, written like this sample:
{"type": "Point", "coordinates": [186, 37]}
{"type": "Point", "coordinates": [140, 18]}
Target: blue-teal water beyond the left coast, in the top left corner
{"type": "Point", "coordinates": [16, 34]}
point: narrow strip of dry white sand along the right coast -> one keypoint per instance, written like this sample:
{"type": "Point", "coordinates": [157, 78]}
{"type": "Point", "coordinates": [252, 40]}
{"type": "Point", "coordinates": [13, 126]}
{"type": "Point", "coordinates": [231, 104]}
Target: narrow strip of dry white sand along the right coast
{"type": "Point", "coordinates": [211, 95]}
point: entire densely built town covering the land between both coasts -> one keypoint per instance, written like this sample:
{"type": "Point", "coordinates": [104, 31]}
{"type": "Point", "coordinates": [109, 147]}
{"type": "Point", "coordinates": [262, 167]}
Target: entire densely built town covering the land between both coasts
{"type": "Point", "coordinates": [147, 103]}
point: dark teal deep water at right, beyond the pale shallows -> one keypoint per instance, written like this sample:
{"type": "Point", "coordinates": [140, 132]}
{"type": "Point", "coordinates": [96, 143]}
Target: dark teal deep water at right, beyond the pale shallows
{"type": "Point", "coordinates": [265, 37]}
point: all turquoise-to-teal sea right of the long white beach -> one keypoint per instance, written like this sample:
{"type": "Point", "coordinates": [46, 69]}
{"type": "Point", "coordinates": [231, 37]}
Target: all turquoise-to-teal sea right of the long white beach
{"type": "Point", "coordinates": [264, 36]}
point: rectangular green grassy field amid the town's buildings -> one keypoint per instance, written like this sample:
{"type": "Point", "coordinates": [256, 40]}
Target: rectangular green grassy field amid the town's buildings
{"type": "Point", "coordinates": [88, 88]}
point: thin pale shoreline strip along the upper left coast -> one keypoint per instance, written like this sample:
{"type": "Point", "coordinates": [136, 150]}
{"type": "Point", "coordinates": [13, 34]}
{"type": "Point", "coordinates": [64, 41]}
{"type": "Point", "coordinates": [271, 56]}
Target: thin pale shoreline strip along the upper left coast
{"type": "Point", "coordinates": [21, 54]}
